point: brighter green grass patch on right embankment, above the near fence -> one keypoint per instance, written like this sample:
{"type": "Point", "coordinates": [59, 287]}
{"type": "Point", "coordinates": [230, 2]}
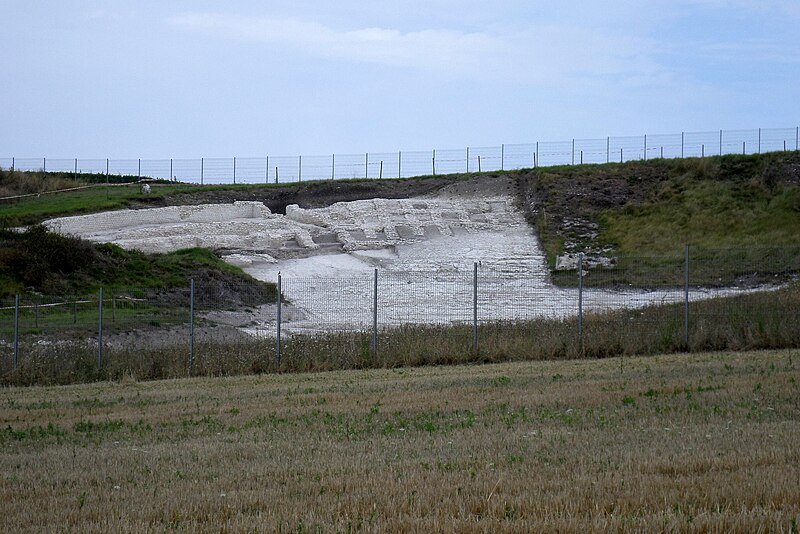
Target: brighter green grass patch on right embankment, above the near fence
{"type": "Point", "coordinates": [718, 203]}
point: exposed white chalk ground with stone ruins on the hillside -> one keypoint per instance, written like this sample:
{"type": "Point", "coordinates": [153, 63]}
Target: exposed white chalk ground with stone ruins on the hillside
{"type": "Point", "coordinates": [424, 249]}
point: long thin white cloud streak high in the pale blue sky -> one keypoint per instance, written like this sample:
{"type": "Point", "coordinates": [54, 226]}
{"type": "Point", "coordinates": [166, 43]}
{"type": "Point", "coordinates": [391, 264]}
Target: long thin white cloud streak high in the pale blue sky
{"type": "Point", "coordinates": [540, 55]}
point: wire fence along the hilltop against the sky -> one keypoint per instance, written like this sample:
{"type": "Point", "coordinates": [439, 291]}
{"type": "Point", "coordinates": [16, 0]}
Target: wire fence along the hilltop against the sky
{"type": "Point", "coordinates": [284, 169]}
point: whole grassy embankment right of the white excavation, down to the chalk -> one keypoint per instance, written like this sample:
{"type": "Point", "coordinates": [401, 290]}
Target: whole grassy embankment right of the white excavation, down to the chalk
{"type": "Point", "coordinates": [738, 214]}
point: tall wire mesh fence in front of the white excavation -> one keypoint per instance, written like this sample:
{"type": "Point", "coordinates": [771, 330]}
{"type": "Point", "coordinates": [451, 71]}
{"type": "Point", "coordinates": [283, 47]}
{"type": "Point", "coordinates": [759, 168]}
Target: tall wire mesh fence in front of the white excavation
{"type": "Point", "coordinates": [692, 300]}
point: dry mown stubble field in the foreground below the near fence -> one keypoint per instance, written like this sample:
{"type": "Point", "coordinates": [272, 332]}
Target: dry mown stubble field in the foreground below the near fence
{"type": "Point", "coordinates": [701, 442]}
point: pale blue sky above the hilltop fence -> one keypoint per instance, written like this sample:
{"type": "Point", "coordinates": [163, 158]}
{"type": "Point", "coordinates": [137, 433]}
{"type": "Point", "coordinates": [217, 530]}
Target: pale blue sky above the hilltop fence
{"type": "Point", "coordinates": [184, 79]}
